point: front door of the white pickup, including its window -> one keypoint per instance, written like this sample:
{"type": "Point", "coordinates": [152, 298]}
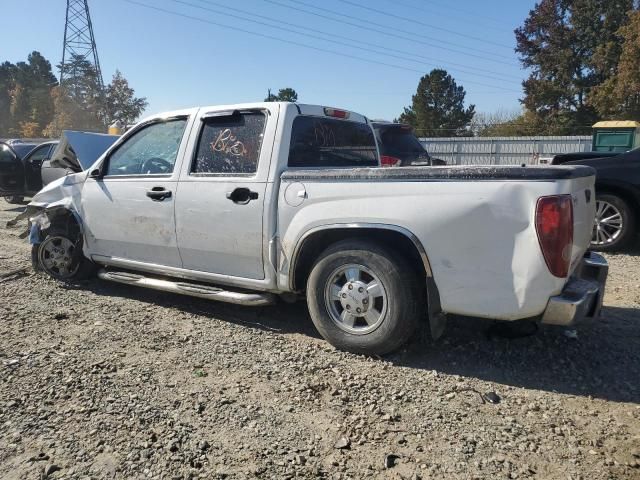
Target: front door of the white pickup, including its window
{"type": "Point", "coordinates": [128, 210]}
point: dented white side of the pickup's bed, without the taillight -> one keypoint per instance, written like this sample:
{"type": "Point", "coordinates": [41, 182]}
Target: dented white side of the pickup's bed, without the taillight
{"type": "Point", "coordinates": [476, 224]}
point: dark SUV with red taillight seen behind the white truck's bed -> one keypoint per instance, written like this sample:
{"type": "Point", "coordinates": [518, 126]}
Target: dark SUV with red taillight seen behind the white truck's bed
{"type": "Point", "coordinates": [399, 146]}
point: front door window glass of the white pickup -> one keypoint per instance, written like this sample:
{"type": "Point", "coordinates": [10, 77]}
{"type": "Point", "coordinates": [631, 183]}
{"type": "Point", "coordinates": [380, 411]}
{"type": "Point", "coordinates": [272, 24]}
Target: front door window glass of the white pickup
{"type": "Point", "coordinates": [151, 150]}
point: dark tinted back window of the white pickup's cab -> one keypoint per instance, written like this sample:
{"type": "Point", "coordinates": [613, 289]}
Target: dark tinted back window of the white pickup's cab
{"type": "Point", "coordinates": [327, 142]}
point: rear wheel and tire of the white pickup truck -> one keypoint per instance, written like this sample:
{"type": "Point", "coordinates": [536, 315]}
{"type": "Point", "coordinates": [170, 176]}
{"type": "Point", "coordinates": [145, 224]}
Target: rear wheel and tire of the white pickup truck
{"type": "Point", "coordinates": [363, 298]}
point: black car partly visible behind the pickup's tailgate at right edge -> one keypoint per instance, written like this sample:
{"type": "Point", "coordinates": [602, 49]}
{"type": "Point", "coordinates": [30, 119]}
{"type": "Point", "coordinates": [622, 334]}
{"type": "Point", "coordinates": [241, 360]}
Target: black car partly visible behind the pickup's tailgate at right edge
{"type": "Point", "coordinates": [617, 217]}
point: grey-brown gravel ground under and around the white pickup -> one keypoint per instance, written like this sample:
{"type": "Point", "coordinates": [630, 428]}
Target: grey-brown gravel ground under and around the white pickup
{"type": "Point", "coordinates": [103, 381]}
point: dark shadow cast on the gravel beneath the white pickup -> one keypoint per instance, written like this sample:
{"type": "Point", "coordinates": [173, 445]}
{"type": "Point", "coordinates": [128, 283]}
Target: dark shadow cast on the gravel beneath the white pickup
{"type": "Point", "coordinates": [602, 362]}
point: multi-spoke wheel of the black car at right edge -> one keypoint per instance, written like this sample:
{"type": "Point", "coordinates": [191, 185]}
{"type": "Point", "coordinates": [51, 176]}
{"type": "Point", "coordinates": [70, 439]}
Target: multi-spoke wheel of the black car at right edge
{"type": "Point", "coordinates": [615, 223]}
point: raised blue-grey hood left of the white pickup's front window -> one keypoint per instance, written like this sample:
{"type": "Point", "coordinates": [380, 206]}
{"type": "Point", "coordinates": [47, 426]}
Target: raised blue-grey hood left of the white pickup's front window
{"type": "Point", "coordinates": [77, 151]}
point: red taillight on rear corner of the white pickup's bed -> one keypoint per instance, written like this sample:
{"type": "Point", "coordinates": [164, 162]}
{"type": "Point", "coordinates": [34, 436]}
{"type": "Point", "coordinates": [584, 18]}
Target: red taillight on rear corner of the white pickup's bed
{"type": "Point", "coordinates": [554, 225]}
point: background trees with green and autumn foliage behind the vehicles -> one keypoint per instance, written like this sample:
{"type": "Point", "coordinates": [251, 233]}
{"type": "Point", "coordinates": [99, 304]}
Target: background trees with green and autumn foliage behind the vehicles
{"type": "Point", "coordinates": [582, 58]}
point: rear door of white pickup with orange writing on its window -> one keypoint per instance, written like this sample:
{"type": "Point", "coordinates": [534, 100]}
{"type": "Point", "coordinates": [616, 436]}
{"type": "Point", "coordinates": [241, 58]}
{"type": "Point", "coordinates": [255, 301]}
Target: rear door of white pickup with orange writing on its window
{"type": "Point", "coordinates": [221, 195]}
